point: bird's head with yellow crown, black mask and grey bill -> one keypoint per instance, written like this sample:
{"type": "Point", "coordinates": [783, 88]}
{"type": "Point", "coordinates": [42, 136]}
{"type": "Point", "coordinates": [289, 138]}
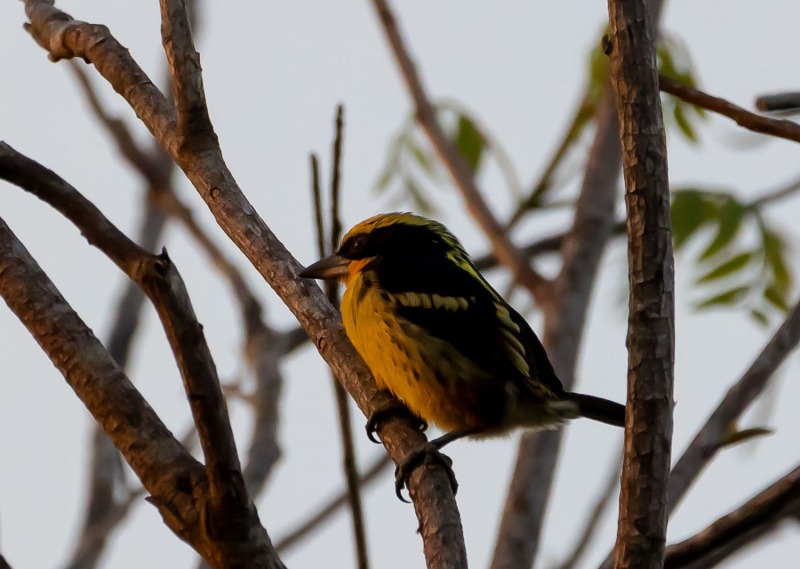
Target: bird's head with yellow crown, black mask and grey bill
{"type": "Point", "coordinates": [382, 239]}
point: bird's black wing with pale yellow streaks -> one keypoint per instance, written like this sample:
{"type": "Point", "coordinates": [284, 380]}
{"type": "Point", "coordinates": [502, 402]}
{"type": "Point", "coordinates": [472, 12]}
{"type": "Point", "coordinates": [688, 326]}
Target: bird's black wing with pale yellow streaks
{"type": "Point", "coordinates": [454, 303]}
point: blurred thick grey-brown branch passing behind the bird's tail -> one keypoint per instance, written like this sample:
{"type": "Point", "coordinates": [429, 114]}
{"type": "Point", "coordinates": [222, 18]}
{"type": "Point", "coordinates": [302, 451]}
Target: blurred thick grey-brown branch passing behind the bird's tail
{"type": "Point", "coordinates": [582, 248]}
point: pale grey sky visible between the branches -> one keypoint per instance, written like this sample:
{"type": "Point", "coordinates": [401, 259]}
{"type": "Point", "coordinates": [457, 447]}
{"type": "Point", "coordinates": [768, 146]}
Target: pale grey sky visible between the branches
{"type": "Point", "coordinates": [274, 72]}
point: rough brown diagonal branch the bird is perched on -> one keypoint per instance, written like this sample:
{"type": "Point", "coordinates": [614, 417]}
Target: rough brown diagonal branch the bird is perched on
{"type": "Point", "coordinates": [440, 525]}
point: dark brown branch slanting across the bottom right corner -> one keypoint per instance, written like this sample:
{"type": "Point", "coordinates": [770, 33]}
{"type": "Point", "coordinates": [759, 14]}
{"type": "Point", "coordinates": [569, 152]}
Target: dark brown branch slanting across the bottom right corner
{"type": "Point", "coordinates": [740, 527]}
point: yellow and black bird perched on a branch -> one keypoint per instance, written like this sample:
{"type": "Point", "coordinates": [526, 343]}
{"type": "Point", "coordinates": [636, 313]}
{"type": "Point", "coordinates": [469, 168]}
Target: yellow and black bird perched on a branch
{"type": "Point", "coordinates": [442, 340]}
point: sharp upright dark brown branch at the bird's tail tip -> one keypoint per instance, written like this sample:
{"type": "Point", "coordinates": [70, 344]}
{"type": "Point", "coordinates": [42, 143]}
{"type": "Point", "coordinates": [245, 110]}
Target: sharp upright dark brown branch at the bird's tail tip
{"type": "Point", "coordinates": [651, 333]}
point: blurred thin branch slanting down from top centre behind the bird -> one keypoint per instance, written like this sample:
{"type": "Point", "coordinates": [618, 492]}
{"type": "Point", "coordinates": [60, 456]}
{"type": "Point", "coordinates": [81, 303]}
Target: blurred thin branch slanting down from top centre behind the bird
{"type": "Point", "coordinates": [456, 165]}
